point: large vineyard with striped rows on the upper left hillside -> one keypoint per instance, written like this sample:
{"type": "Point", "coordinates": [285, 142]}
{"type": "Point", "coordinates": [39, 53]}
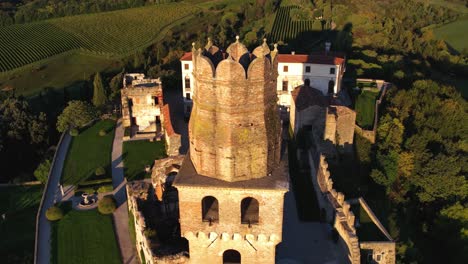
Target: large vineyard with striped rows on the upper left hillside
{"type": "Point", "coordinates": [109, 34]}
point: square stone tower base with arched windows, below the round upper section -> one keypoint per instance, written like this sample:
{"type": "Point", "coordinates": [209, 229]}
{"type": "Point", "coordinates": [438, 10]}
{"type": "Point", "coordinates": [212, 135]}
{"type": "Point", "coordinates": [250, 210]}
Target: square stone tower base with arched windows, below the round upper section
{"type": "Point", "coordinates": [256, 243]}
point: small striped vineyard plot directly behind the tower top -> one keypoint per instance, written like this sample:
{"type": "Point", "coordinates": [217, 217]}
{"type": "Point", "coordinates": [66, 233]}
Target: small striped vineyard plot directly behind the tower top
{"type": "Point", "coordinates": [285, 28]}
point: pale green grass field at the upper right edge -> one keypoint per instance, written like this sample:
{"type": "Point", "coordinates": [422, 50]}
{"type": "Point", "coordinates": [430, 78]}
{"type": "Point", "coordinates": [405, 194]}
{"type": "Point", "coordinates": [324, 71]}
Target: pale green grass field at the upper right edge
{"type": "Point", "coordinates": [452, 33]}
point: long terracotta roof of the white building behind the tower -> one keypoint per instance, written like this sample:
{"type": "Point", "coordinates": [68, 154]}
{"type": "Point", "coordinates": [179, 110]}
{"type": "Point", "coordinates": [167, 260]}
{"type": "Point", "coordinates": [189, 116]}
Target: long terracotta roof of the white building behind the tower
{"type": "Point", "coordinates": [315, 58]}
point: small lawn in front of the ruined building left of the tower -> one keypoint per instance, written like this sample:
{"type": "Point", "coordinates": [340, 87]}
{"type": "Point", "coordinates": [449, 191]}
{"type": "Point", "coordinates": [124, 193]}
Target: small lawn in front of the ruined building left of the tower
{"type": "Point", "coordinates": [138, 154]}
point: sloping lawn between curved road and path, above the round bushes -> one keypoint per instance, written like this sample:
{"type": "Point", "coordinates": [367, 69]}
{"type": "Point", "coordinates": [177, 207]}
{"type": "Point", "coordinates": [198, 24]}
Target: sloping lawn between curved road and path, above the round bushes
{"type": "Point", "coordinates": [89, 151]}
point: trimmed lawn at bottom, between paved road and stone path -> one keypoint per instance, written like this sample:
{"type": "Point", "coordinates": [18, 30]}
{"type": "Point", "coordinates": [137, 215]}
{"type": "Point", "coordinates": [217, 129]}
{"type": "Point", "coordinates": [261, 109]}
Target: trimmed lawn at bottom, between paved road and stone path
{"type": "Point", "coordinates": [84, 237]}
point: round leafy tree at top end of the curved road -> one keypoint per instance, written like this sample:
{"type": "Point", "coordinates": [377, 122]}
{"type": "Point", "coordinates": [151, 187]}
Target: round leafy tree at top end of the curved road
{"type": "Point", "coordinates": [77, 114]}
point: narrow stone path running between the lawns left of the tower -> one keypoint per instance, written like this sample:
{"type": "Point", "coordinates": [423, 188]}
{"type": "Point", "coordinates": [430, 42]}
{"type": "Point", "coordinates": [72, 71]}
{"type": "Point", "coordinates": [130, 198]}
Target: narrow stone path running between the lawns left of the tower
{"type": "Point", "coordinates": [127, 249]}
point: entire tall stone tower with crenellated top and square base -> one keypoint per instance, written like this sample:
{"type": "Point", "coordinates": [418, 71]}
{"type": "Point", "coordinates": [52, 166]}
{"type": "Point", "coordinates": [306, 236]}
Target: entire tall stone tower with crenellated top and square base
{"type": "Point", "coordinates": [232, 183]}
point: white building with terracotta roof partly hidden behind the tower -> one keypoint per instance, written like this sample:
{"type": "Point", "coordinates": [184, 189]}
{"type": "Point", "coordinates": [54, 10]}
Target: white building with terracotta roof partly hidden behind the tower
{"type": "Point", "coordinates": [322, 71]}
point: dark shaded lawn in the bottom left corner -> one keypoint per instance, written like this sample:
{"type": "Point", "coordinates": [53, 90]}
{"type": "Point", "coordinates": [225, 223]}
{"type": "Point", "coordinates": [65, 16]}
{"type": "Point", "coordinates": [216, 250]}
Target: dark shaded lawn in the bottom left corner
{"type": "Point", "coordinates": [17, 232]}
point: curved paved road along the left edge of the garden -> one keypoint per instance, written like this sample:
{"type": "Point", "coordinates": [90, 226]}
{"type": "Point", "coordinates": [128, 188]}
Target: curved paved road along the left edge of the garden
{"type": "Point", "coordinates": [52, 194]}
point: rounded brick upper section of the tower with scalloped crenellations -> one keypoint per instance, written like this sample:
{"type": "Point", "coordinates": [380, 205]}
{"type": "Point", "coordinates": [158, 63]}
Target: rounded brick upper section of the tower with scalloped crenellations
{"type": "Point", "coordinates": [234, 127]}
